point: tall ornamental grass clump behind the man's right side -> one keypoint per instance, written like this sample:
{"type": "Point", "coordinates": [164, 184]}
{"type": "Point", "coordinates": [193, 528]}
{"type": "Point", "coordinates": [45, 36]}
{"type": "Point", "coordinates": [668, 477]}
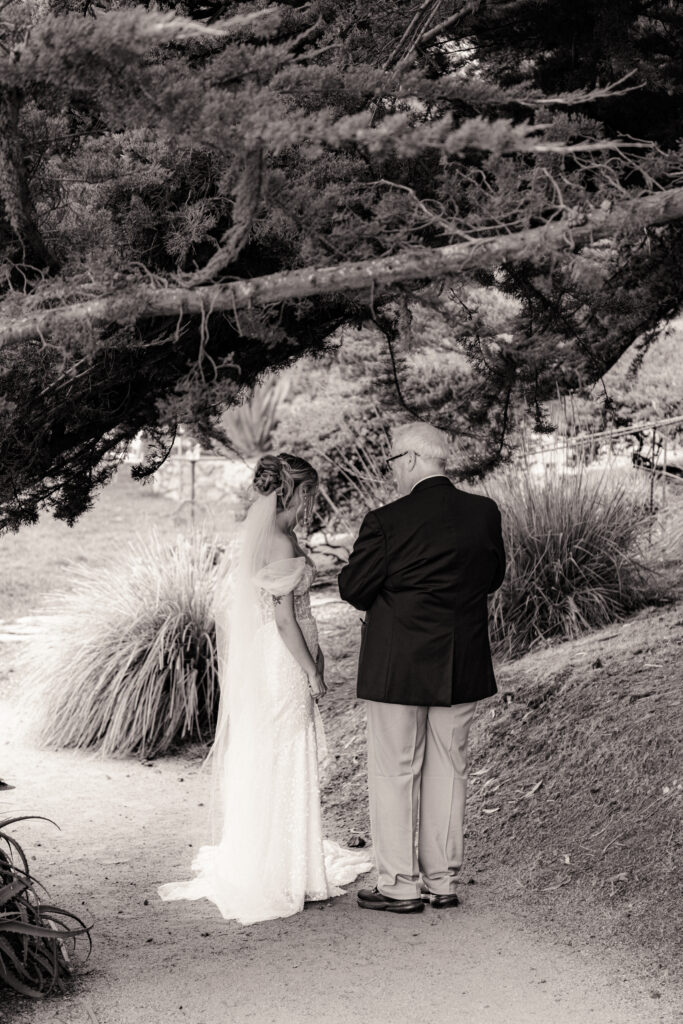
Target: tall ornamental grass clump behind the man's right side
{"type": "Point", "coordinates": [577, 558]}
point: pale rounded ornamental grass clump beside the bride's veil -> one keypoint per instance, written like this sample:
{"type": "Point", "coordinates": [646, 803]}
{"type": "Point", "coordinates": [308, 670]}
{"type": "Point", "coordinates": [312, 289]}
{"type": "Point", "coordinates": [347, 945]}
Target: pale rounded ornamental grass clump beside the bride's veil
{"type": "Point", "coordinates": [126, 662]}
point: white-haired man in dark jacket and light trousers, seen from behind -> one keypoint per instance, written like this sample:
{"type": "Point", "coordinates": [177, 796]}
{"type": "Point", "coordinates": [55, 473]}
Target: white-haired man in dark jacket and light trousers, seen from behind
{"type": "Point", "coordinates": [421, 570]}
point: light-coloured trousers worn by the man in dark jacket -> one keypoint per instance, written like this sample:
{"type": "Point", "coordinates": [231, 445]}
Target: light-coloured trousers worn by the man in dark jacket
{"type": "Point", "coordinates": [417, 773]}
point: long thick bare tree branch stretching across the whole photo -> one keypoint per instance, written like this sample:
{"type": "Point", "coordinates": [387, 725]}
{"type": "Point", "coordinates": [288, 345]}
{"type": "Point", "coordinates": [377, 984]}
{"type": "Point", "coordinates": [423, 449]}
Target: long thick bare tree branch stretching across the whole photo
{"type": "Point", "coordinates": [140, 303]}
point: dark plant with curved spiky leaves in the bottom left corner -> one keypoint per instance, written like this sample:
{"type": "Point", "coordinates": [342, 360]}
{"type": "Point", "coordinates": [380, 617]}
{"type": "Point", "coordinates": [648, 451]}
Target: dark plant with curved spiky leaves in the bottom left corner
{"type": "Point", "coordinates": [37, 941]}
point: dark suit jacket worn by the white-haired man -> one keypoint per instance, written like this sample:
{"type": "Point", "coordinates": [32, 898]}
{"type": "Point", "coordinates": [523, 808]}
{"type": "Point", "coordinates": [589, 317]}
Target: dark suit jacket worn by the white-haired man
{"type": "Point", "coordinates": [421, 570]}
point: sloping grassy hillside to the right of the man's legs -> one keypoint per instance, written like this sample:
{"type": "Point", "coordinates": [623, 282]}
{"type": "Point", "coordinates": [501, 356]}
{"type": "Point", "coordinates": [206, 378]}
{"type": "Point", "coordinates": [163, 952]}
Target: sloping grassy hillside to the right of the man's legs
{"type": "Point", "coordinates": [578, 782]}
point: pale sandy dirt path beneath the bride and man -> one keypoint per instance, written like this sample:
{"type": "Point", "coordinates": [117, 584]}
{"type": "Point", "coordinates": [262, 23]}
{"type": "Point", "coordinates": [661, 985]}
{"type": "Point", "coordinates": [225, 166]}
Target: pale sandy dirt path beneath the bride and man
{"type": "Point", "coordinates": [126, 827]}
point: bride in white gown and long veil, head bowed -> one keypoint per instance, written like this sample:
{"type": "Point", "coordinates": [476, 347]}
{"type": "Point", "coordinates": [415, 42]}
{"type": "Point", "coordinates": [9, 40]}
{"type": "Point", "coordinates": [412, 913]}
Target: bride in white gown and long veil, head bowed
{"type": "Point", "coordinates": [269, 856]}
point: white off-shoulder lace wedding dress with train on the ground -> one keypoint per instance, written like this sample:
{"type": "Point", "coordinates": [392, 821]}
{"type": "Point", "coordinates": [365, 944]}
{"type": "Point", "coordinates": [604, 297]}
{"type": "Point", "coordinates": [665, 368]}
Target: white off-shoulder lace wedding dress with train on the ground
{"type": "Point", "coordinates": [272, 857]}
